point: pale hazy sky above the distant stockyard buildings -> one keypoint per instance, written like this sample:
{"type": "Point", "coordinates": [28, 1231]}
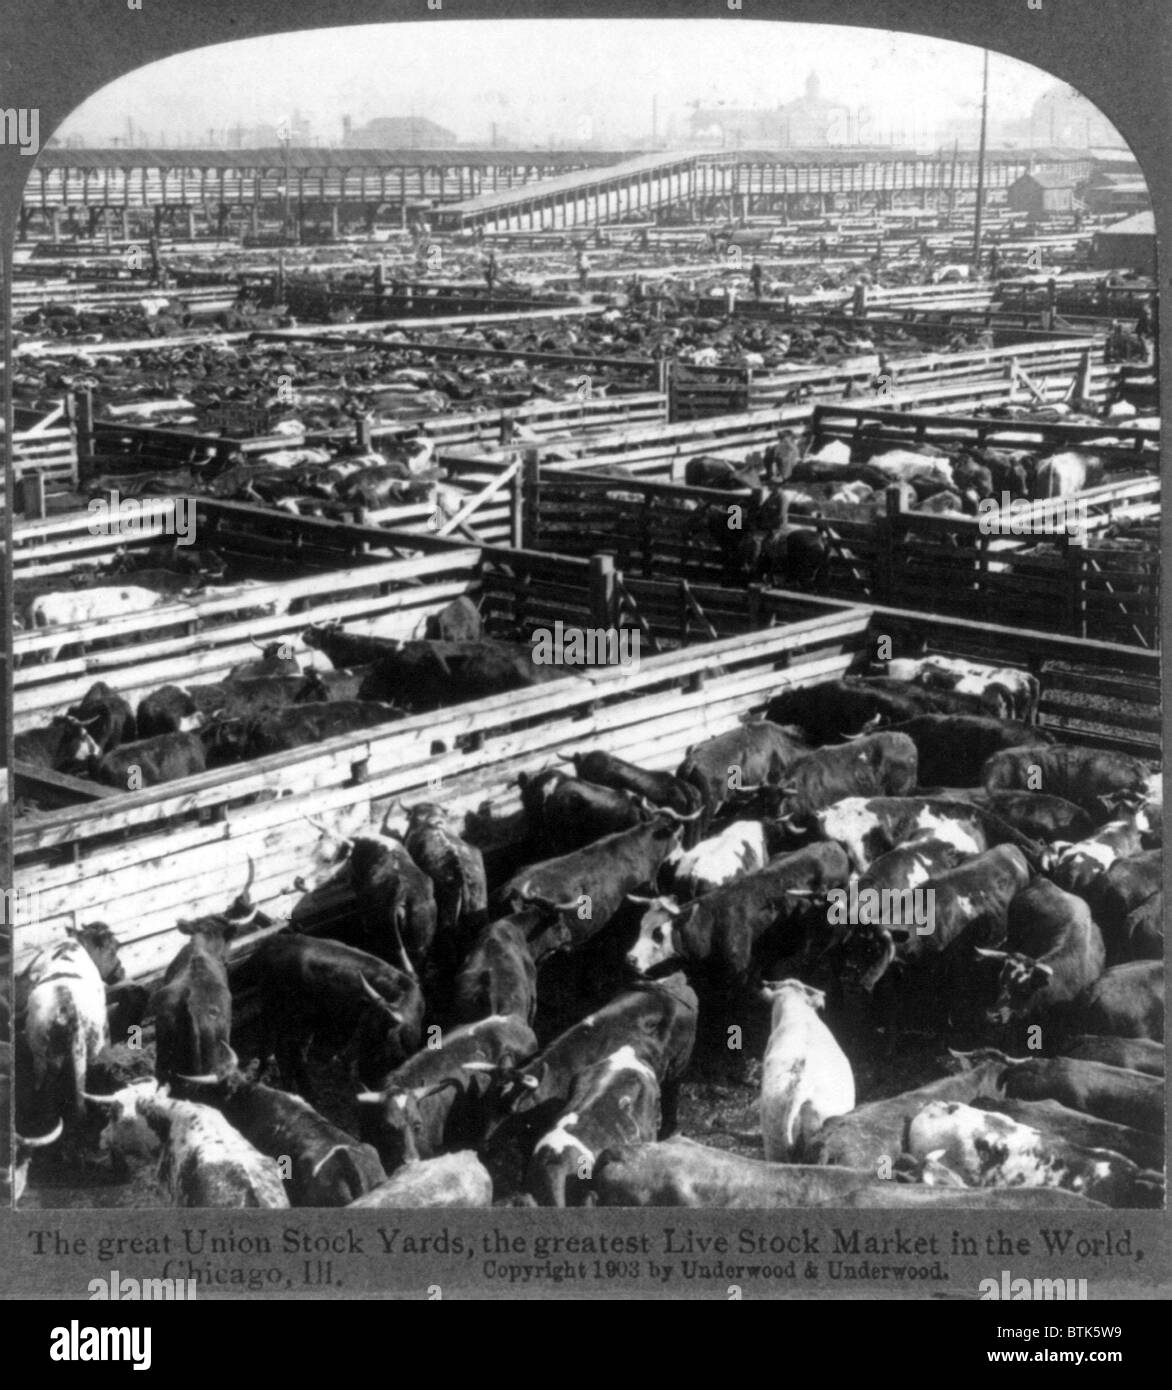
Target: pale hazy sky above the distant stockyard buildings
{"type": "Point", "coordinates": [551, 77]}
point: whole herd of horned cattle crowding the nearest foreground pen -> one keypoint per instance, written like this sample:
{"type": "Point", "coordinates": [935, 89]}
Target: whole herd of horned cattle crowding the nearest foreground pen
{"type": "Point", "coordinates": [877, 860]}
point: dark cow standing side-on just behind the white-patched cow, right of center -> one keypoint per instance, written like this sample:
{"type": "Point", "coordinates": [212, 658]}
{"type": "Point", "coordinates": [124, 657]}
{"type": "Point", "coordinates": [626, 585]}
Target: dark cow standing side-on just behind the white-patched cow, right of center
{"type": "Point", "coordinates": [877, 765]}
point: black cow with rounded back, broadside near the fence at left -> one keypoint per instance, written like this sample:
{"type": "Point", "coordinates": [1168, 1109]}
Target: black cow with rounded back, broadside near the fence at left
{"type": "Point", "coordinates": [315, 990]}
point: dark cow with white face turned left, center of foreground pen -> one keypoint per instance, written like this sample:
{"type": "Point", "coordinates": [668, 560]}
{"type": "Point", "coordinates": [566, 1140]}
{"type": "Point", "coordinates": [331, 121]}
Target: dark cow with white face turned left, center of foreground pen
{"type": "Point", "coordinates": [721, 931]}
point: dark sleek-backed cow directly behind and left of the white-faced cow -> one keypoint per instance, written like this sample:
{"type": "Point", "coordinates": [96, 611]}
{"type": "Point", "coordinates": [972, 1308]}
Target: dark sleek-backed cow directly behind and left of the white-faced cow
{"type": "Point", "coordinates": [587, 888]}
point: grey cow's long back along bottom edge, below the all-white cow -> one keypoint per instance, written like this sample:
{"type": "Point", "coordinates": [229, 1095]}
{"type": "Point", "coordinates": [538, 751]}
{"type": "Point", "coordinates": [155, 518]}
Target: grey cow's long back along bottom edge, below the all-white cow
{"type": "Point", "coordinates": [679, 1172]}
